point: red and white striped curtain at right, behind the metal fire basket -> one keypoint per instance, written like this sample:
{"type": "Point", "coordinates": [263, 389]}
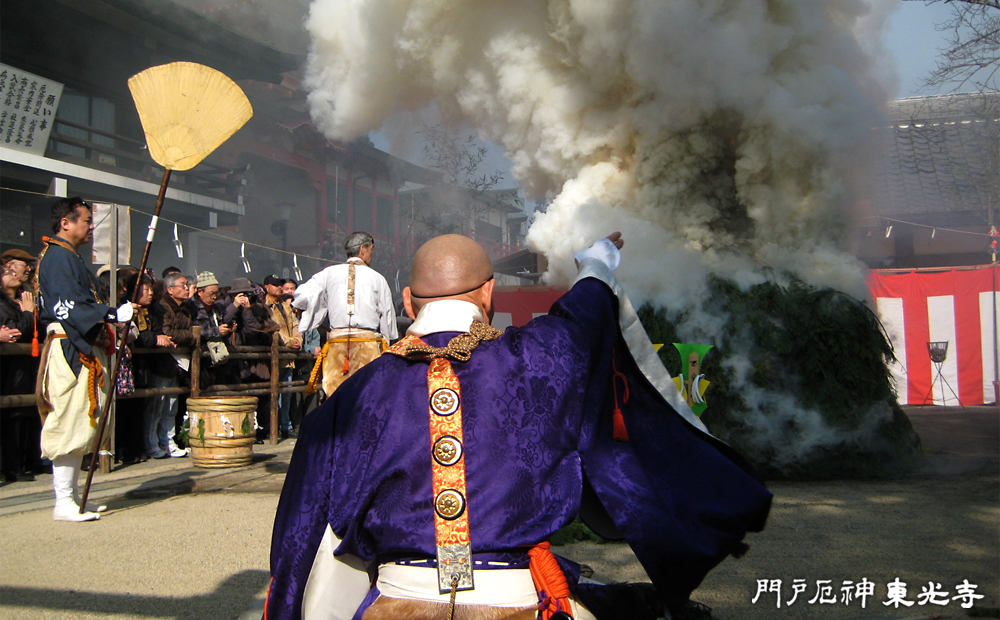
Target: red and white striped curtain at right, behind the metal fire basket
{"type": "Point", "coordinates": [954, 306]}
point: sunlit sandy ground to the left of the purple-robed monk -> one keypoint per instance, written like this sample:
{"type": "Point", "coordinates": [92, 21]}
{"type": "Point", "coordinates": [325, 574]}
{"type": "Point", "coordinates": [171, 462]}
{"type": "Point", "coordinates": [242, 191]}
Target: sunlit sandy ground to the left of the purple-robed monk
{"type": "Point", "coordinates": [177, 542]}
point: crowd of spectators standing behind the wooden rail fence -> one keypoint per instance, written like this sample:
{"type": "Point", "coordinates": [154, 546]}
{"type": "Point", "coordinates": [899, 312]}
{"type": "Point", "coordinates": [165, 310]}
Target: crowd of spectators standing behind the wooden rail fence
{"type": "Point", "coordinates": [243, 313]}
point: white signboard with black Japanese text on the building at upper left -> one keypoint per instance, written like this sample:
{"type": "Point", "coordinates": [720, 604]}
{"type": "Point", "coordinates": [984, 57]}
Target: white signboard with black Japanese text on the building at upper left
{"type": "Point", "coordinates": [28, 105]}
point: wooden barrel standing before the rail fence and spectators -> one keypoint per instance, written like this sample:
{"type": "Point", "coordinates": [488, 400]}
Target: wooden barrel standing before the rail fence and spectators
{"type": "Point", "coordinates": [221, 430]}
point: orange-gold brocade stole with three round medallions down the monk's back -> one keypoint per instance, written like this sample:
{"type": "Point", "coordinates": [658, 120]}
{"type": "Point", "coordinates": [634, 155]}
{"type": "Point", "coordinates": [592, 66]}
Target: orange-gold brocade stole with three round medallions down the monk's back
{"type": "Point", "coordinates": [444, 397]}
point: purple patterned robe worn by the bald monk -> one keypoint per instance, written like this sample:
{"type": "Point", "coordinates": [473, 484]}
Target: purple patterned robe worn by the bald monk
{"type": "Point", "coordinates": [537, 416]}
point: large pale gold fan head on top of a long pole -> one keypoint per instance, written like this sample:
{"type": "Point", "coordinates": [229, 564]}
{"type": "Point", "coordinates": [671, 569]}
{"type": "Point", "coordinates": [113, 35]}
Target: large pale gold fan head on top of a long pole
{"type": "Point", "coordinates": [187, 110]}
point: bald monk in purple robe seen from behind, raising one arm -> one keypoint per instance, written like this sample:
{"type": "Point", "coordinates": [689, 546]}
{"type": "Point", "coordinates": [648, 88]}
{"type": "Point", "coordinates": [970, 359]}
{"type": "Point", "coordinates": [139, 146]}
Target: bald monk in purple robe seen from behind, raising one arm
{"type": "Point", "coordinates": [435, 475]}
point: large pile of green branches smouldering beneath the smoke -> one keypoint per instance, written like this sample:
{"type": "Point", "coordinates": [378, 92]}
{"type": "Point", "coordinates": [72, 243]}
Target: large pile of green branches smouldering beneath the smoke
{"type": "Point", "coordinates": [822, 348]}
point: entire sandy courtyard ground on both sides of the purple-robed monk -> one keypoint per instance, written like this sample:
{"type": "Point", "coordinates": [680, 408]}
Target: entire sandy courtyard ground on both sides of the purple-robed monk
{"type": "Point", "coordinates": [180, 542]}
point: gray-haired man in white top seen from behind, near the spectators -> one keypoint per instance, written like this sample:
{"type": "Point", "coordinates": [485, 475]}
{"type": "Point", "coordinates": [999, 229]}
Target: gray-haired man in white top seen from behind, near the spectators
{"type": "Point", "coordinates": [356, 301]}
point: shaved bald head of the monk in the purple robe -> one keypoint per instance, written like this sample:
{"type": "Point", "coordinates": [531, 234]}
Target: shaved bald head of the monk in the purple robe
{"type": "Point", "coordinates": [449, 265]}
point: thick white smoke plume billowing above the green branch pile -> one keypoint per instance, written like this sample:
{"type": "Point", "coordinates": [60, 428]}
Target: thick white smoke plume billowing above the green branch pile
{"type": "Point", "coordinates": [717, 135]}
